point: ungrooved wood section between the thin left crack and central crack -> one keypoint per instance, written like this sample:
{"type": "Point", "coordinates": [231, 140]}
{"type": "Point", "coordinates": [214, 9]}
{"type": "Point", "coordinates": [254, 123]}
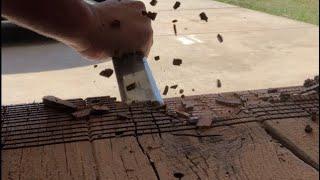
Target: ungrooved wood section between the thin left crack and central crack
{"type": "Point", "coordinates": [121, 158]}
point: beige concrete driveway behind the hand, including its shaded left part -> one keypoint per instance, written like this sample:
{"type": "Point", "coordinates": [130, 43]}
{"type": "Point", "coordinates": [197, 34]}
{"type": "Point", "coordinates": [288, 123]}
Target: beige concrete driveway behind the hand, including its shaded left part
{"type": "Point", "coordinates": [259, 51]}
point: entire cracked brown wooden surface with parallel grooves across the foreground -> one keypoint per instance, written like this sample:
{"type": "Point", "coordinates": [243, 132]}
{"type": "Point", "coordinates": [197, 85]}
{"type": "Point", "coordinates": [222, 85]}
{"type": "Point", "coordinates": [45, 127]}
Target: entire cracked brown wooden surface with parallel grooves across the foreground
{"type": "Point", "coordinates": [260, 140]}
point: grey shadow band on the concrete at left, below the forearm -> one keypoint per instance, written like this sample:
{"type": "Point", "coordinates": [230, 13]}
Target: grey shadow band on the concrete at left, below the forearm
{"type": "Point", "coordinates": [38, 57]}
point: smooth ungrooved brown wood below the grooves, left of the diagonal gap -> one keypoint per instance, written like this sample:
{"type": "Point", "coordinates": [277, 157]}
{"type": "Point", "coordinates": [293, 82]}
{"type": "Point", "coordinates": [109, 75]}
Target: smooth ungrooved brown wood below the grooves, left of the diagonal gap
{"type": "Point", "coordinates": [243, 151]}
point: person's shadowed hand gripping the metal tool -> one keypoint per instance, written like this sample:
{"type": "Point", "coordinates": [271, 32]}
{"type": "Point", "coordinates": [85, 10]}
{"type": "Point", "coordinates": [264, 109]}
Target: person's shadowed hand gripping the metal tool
{"type": "Point", "coordinates": [116, 28]}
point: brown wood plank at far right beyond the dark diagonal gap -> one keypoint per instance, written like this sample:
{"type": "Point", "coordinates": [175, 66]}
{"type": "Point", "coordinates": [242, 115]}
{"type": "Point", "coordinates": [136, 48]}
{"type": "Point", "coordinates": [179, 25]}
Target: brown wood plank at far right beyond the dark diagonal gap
{"type": "Point", "coordinates": [291, 132]}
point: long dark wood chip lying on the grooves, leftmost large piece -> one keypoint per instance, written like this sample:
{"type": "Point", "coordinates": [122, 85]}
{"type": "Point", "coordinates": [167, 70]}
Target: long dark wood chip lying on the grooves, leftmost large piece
{"type": "Point", "coordinates": [56, 103]}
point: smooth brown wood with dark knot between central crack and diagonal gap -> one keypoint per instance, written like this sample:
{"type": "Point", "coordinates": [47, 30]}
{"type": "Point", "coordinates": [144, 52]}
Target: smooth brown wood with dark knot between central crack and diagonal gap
{"type": "Point", "coordinates": [244, 151]}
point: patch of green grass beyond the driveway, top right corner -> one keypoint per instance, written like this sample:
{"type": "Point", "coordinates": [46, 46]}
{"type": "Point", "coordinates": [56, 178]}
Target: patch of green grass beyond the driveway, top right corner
{"type": "Point", "coordinates": [302, 10]}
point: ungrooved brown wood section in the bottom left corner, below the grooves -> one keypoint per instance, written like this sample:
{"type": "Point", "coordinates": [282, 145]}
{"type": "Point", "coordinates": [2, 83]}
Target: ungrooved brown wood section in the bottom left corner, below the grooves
{"type": "Point", "coordinates": [61, 161]}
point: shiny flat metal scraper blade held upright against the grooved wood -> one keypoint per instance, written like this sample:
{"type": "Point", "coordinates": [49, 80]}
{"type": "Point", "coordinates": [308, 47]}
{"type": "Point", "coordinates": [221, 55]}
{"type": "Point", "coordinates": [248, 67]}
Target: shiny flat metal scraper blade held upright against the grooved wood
{"type": "Point", "coordinates": [135, 79]}
